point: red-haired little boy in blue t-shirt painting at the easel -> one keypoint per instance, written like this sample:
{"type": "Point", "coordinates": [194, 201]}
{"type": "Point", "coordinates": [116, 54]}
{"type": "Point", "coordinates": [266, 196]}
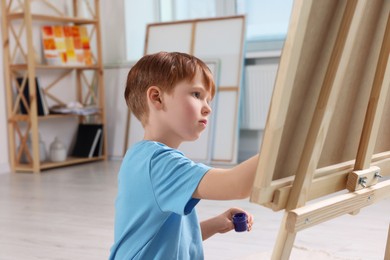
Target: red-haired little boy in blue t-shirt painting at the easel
{"type": "Point", "coordinates": [158, 187]}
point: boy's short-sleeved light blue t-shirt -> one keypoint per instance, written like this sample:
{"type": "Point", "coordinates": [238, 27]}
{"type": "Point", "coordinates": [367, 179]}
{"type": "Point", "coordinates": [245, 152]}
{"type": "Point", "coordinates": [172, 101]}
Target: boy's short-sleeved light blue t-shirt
{"type": "Point", "coordinates": [155, 216]}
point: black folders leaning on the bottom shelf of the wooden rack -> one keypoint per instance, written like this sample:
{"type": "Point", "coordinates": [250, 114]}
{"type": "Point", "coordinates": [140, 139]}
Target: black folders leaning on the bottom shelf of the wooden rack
{"type": "Point", "coordinates": [89, 141]}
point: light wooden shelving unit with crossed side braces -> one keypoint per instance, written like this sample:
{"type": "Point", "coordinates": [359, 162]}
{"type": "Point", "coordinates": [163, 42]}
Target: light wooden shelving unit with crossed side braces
{"type": "Point", "coordinates": [20, 20]}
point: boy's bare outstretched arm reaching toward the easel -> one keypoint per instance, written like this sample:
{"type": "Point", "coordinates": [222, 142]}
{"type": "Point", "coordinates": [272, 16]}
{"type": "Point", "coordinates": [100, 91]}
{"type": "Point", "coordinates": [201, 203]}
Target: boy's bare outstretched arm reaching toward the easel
{"type": "Point", "coordinates": [228, 184]}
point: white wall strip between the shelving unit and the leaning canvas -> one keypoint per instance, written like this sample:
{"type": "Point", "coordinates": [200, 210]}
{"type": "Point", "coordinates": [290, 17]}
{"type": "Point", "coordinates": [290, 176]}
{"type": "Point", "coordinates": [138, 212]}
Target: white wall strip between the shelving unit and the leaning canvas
{"type": "Point", "coordinates": [115, 73]}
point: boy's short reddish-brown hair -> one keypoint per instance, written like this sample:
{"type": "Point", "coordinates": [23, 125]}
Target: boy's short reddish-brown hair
{"type": "Point", "coordinates": [164, 70]}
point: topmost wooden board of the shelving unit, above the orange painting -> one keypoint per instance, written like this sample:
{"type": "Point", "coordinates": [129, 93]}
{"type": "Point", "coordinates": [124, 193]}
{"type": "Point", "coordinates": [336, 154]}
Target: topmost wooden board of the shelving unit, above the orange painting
{"type": "Point", "coordinates": [51, 18]}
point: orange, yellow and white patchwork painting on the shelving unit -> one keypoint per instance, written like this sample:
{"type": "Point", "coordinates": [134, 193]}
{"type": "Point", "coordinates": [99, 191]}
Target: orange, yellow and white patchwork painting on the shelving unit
{"type": "Point", "coordinates": [66, 45]}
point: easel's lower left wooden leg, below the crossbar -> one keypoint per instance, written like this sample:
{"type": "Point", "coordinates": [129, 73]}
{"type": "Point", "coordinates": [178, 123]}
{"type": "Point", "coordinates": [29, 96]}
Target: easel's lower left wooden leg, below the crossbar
{"type": "Point", "coordinates": [284, 242]}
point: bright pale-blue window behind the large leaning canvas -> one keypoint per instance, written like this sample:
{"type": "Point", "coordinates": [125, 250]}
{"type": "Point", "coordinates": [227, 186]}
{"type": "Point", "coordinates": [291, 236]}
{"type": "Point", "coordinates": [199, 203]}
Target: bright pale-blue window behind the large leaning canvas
{"type": "Point", "coordinates": [267, 21]}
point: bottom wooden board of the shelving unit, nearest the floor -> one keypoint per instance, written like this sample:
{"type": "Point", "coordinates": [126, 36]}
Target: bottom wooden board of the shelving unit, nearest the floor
{"type": "Point", "coordinates": [49, 165]}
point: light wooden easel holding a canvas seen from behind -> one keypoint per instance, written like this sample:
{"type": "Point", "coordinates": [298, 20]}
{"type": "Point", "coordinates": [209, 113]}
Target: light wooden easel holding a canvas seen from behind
{"type": "Point", "coordinates": [330, 111]}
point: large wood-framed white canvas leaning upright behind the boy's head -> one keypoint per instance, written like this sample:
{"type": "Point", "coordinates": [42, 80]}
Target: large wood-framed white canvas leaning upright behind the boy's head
{"type": "Point", "coordinates": [220, 40]}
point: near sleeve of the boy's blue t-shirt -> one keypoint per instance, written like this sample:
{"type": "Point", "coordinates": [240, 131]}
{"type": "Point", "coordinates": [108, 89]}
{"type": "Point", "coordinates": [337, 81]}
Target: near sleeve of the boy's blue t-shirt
{"type": "Point", "coordinates": [174, 179]}
